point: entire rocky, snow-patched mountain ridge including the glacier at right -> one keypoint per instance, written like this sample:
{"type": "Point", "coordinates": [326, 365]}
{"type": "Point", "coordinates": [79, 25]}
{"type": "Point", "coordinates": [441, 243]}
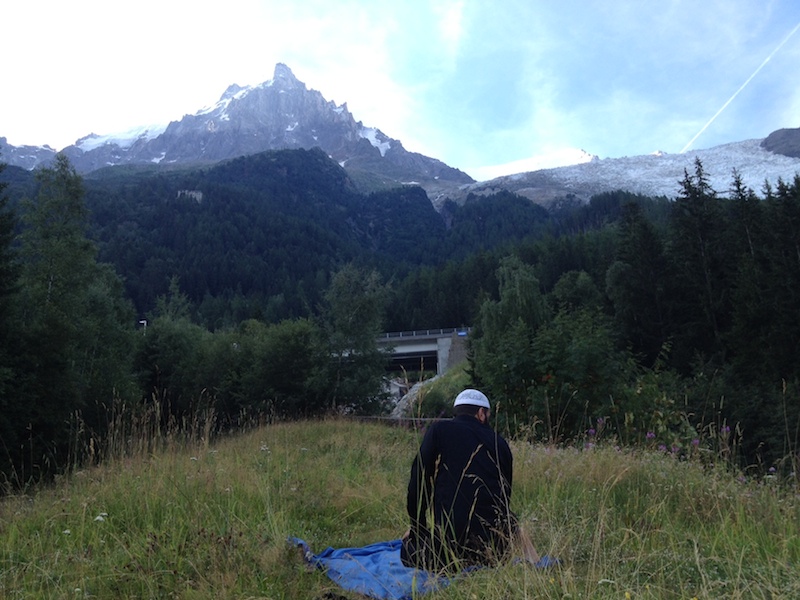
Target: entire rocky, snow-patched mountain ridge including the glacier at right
{"type": "Point", "coordinates": [282, 113]}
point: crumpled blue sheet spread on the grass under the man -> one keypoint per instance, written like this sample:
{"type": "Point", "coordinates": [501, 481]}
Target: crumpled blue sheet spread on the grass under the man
{"type": "Point", "coordinates": [374, 570]}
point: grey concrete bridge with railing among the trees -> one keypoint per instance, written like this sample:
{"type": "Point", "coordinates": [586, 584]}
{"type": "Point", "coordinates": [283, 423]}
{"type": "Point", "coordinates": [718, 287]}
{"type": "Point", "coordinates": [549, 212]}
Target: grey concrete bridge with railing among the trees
{"type": "Point", "coordinates": [426, 349]}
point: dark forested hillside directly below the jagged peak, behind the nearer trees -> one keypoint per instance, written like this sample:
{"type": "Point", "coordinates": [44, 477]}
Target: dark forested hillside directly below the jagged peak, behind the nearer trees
{"type": "Point", "coordinates": [259, 236]}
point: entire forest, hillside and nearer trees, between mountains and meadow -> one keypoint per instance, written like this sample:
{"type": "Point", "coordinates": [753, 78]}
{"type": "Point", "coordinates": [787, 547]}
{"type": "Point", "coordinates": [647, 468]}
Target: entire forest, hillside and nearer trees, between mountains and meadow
{"type": "Point", "coordinates": [255, 289]}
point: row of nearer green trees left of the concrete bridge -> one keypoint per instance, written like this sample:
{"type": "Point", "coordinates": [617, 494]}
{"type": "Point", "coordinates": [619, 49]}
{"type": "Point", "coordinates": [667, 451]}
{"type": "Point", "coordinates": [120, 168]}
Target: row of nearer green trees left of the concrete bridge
{"type": "Point", "coordinates": [73, 357]}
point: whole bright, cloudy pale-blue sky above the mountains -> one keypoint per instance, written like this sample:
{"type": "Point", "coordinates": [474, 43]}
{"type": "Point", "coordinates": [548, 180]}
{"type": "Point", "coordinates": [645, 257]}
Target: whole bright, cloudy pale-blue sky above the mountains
{"type": "Point", "coordinates": [475, 83]}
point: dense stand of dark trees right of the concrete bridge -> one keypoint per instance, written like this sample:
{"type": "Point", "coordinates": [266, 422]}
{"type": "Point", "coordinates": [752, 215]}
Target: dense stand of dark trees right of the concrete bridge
{"type": "Point", "coordinates": [682, 330]}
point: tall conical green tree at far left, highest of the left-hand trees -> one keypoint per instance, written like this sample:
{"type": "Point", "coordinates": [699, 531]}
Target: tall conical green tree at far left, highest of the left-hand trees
{"type": "Point", "coordinates": [74, 319]}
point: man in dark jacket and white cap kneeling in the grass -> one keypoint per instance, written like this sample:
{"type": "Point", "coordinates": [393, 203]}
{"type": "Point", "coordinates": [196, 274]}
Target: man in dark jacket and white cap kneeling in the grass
{"type": "Point", "coordinates": [463, 474]}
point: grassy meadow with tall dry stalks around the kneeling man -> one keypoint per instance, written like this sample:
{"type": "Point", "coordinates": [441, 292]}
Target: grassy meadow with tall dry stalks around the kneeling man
{"type": "Point", "coordinates": [180, 519]}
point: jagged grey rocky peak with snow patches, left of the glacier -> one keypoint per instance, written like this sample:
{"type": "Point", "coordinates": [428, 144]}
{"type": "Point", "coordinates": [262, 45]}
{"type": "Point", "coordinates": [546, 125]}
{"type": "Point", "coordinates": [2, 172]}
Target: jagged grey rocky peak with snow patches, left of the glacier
{"type": "Point", "coordinates": [278, 114]}
